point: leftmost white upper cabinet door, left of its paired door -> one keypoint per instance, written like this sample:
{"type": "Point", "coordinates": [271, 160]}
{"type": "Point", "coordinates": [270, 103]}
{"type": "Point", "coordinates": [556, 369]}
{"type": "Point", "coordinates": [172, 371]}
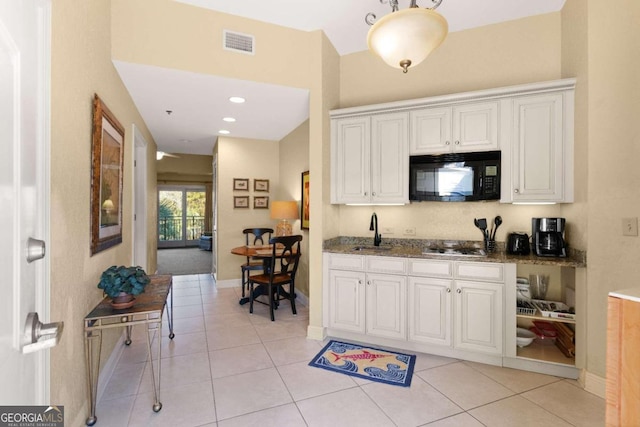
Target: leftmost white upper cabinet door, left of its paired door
{"type": "Point", "coordinates": [351, 161]}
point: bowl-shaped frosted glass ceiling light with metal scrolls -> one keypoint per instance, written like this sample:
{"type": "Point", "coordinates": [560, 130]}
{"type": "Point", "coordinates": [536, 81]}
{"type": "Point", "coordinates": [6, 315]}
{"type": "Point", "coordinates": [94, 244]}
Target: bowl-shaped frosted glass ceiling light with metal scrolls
{"type": "Point", "coordinates": [405, 38]}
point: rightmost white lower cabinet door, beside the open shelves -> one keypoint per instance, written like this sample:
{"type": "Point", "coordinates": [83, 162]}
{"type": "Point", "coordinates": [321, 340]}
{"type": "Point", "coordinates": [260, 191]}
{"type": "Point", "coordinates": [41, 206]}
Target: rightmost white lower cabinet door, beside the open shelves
{"type": "Point", "coordinates": [478, 317]}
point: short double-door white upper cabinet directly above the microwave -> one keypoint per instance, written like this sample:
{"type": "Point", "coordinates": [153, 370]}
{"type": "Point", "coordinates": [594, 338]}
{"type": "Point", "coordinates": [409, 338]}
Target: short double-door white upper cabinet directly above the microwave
{"type": "Point", "coordinates": [463, 128]}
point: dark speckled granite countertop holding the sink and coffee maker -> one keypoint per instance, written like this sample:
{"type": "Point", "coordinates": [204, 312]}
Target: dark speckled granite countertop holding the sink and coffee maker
{"type": "Point", "coordinates": [412, 248]}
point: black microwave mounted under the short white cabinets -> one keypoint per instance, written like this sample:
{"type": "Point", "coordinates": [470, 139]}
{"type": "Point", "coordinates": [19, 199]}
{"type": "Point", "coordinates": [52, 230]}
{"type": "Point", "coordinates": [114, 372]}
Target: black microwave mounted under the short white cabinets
{"type": "Point", "coordinates": [455, 177]}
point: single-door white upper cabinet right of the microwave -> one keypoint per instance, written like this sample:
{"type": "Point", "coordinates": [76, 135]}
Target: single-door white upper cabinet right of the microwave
{"type": "Point", "coordinates": [540, 154]}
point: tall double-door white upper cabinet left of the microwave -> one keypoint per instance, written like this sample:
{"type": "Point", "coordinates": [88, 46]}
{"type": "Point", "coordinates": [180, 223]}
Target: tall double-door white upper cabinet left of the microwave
{"type": "Point", "coordinates": [370, 159]}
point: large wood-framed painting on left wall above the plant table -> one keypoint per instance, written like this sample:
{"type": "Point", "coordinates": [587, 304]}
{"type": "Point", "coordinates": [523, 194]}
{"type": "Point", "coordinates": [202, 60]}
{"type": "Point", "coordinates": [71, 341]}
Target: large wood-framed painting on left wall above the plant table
{"type": "Point", "coordinates": [107, 154]}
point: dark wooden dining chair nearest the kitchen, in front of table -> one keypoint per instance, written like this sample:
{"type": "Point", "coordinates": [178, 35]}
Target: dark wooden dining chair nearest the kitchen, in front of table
{"type": "Point", "coordinates": [283, 267]}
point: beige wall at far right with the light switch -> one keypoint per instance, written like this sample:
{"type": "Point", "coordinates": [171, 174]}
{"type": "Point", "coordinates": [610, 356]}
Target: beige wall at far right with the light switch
{"type": "Point", "coordinates": [613, 137]}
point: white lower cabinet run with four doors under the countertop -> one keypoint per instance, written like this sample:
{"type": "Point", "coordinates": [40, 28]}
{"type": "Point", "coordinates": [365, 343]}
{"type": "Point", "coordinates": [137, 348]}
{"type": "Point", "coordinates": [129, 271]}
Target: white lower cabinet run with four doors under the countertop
{"type": "Point", "coordinates": [449, 304]}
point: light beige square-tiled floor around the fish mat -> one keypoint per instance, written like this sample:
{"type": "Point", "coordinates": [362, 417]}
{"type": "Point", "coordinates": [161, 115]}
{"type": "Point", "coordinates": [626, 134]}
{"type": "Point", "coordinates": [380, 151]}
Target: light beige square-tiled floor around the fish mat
{"type": "Point", "coordinates": [227, 368]}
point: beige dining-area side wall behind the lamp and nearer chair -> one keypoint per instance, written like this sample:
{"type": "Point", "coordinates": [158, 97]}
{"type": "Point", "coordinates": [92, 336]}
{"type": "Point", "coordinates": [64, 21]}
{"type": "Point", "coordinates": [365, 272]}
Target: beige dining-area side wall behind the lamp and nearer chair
{"type": "Point", "coordinates": [294, 159]}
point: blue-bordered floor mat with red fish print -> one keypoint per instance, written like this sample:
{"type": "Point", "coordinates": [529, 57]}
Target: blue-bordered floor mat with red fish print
{"type": "Point", "coordinates": [369, 363]}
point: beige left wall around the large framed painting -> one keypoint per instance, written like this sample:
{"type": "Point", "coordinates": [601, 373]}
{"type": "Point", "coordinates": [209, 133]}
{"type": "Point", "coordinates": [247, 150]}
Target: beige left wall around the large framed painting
{"type": "Point", "coordinates": [81, 66]}
